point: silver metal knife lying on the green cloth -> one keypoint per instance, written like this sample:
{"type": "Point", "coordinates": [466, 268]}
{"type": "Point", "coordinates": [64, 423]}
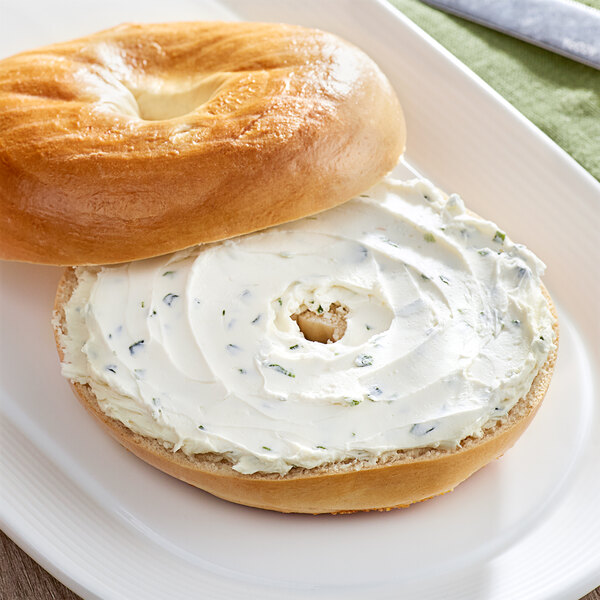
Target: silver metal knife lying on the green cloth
{"type": "Point", "coordinates": [562, 26]}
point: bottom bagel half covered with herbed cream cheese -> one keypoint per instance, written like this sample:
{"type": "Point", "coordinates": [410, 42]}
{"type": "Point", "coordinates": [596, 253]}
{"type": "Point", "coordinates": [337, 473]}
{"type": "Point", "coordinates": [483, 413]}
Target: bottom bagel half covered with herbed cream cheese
{"type": "Point", "coordinates": [353, 476]}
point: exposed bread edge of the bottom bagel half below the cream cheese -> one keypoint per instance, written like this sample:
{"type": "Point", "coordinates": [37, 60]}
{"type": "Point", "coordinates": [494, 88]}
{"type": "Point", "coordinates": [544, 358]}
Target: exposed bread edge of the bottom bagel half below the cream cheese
{"type": "Point", "coordinates": [398, 480]}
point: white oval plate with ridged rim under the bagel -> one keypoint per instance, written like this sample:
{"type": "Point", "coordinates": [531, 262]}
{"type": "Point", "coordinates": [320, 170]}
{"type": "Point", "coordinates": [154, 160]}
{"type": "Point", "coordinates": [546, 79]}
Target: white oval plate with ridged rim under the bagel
{"type": "Point", "coordinates": [527, 526]}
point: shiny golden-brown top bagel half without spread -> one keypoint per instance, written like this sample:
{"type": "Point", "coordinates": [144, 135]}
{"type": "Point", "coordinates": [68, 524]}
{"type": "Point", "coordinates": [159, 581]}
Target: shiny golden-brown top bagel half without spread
{"type": "Point", "coordinates": [146, 139]}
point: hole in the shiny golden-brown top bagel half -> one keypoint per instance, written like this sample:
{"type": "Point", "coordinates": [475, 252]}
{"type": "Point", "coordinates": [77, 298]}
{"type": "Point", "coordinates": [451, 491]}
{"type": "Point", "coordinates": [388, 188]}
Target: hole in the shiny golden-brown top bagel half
{"type": "Point", "coordinates": [163, 101]}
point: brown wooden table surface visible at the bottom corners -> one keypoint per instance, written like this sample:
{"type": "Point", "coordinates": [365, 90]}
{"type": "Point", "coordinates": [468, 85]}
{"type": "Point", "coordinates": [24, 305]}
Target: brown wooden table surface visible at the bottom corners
{"type": "Point", "coordinates": [21, 578]}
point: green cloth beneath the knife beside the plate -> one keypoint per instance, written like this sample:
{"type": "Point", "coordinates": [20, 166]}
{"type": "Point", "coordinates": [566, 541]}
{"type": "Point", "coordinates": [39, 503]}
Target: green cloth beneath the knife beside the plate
{"type": "Point", "coordinates": [561, 96]}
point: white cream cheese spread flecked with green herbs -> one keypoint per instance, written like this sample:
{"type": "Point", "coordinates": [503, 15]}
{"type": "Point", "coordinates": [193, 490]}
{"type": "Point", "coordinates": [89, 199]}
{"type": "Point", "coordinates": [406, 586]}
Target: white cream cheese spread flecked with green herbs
{"type": "Point", "coordinates": [446, 328]}
